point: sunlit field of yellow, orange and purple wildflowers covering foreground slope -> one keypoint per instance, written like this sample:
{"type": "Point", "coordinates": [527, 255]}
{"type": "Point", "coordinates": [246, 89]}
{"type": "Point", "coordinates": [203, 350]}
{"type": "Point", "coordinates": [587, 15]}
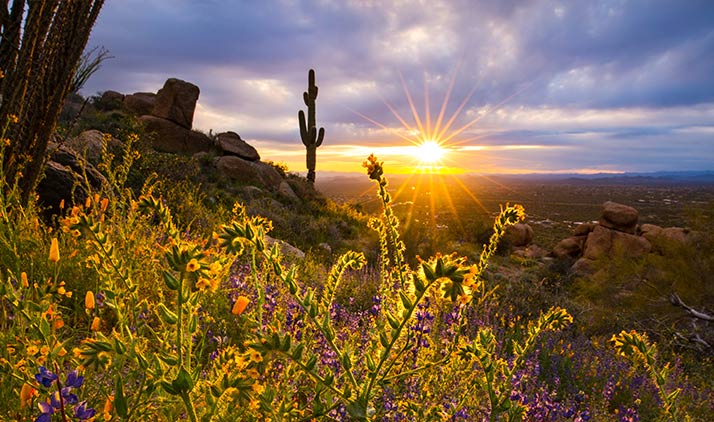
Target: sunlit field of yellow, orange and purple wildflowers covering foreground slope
{"type": "Point", "coordinates": [120, 310]}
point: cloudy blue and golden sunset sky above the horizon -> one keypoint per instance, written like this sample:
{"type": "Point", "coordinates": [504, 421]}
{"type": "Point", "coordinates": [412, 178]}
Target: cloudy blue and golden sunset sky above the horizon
{"type": "Point", "coordinates": [521, 86]}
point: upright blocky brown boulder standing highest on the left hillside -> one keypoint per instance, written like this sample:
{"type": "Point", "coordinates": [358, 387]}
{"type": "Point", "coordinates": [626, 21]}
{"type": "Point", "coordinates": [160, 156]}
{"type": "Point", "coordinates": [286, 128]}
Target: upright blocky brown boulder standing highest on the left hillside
{"type": "Point", "coordinates": [176, 102]}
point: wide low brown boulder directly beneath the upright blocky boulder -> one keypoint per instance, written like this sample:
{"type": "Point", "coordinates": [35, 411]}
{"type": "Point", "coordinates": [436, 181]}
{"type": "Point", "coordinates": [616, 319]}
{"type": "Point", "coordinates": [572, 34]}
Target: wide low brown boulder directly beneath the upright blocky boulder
{"type": "Point", "coordinates": [170, 137]}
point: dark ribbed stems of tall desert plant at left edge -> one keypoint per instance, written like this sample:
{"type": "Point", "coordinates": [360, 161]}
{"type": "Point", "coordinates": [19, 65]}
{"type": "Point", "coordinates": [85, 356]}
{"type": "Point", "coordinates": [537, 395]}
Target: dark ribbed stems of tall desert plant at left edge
{"type": "Point", "coordinates": [38, 57]}
